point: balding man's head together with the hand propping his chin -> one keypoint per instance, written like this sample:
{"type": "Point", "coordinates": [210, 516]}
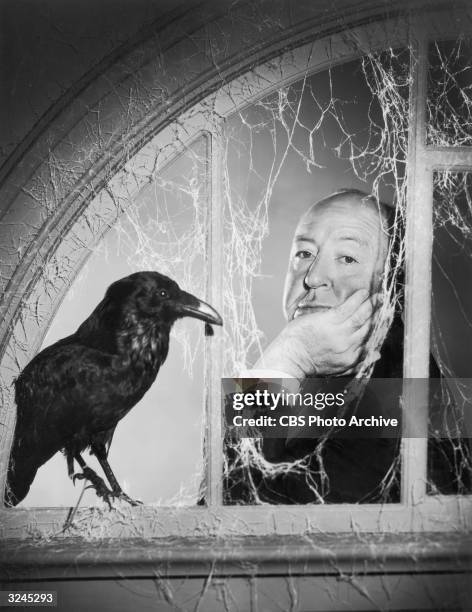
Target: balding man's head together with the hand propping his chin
{"type": "Point", "coordinates": [336, 264]}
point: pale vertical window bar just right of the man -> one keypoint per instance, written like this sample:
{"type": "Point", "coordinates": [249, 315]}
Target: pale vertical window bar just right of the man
{"type": "Point", "coordinates": [418, 276]}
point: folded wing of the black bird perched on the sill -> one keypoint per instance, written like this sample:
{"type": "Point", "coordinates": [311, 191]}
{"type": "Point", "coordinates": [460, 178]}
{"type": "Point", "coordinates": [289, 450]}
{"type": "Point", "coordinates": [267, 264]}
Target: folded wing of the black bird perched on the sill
{"type": "Point", "coordinates": [67, 392]}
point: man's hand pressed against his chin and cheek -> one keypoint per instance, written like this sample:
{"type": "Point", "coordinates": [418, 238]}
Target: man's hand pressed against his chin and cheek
{"type": "Point", "coordinates": [326, 343]}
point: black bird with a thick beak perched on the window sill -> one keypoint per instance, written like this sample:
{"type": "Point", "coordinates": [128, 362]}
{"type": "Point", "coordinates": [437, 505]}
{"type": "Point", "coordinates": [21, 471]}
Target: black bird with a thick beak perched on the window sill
{"type": "Point", "coordinates": [72, 394]}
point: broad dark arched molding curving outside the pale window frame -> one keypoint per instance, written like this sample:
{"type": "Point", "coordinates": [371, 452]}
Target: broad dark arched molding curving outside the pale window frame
{"type": "Point", "coordinates": [113, 116]}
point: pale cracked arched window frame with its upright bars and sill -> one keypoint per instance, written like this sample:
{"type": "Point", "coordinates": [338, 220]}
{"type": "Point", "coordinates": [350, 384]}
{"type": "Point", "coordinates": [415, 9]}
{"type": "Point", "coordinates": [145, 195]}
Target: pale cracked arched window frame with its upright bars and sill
{"type": "Point", "coordinates": [416, 511]}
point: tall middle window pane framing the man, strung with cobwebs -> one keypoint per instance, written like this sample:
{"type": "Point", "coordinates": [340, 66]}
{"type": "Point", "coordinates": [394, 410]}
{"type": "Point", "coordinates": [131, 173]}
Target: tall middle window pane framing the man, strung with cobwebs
{"type": "Point", "coordinates": [342, 129]}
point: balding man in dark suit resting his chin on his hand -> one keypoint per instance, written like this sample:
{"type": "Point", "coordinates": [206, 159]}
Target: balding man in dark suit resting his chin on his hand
{"type": "Point", "coordinates": [330, 302]}
